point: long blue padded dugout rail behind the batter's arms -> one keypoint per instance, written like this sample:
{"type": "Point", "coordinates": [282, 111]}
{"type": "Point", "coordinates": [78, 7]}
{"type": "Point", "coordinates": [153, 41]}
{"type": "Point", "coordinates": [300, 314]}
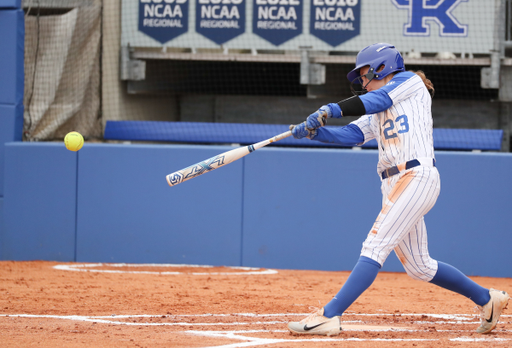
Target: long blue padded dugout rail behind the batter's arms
{"type": "Point", "coordinates": [447, 113]}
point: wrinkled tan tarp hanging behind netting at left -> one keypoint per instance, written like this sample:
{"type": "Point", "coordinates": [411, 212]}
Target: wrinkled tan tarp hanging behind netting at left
{"type": "Point", "coordinates": [62, 72]}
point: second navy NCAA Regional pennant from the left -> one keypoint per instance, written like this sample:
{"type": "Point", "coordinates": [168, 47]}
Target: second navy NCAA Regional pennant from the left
{"type": "Point", "coordinates": [220, 20]}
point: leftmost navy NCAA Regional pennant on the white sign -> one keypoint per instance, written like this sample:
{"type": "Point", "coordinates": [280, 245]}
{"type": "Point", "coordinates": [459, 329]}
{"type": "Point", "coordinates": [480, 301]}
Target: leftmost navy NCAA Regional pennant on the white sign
{"type": "Point", "coordinates": [163, 20]}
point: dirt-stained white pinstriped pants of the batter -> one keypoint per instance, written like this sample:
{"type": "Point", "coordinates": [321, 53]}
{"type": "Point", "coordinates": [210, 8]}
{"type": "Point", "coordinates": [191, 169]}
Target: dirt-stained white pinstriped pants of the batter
{"type": "Point", "coordinates": [400, 226]}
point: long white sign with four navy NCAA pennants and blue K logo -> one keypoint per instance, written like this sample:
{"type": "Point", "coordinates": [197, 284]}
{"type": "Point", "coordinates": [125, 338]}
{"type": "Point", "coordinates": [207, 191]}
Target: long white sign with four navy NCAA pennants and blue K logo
{"type": "Point", "coordinates": [457, 26]}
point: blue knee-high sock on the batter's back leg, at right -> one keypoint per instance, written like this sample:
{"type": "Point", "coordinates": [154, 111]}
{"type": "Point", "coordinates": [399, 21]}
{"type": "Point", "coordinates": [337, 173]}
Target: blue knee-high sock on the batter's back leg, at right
{"type": "Point", "coordinates": [450, 278]}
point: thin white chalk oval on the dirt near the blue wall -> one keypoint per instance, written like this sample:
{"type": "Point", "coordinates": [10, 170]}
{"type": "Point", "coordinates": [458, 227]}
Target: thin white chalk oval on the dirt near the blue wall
{"type": "Point", "coordinates": [89, 267]}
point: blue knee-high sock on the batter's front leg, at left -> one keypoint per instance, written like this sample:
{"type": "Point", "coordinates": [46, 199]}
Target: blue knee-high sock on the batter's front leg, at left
{"type": "Point", "coordinates": [362, 276]}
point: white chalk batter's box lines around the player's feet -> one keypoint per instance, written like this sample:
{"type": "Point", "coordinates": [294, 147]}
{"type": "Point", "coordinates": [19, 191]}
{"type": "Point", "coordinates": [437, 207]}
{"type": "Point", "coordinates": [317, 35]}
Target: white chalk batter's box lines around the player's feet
{"type": "Point", "coordinates": [250, 341]}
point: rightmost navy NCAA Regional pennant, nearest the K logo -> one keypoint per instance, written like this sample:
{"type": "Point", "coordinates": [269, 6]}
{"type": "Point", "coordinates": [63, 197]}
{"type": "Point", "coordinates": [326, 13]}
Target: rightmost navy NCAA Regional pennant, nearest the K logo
{"type": "Point", "coordinates": [335, 21]}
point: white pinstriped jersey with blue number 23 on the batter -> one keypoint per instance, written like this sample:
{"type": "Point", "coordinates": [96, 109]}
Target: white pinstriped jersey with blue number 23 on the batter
{"type": "Point", "coordinates": [404, 131]}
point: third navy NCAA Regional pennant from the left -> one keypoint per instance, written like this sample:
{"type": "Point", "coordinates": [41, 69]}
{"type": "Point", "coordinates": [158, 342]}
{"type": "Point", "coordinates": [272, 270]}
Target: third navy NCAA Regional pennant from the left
{"type": "Point", "coordinates": [277, 21]}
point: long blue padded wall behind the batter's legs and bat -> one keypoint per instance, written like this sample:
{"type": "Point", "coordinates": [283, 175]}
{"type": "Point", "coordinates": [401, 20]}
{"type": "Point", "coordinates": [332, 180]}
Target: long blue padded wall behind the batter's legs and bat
{"type": "Point", "coordinates": [287, 208]}
